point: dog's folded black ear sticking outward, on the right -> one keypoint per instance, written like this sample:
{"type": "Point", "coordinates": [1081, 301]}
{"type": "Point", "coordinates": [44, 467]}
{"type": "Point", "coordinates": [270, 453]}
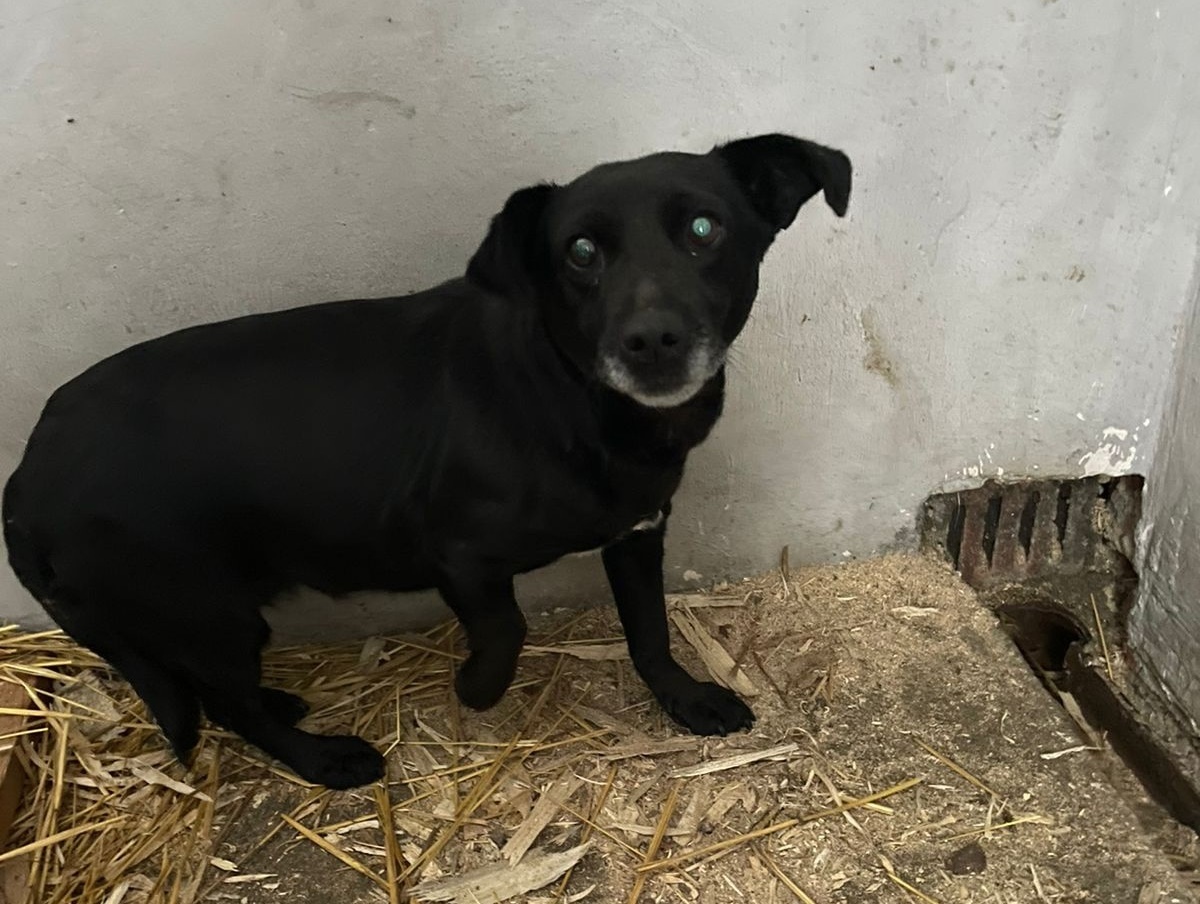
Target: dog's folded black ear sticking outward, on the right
{"type": "Point", "coordinates": [779, 173]}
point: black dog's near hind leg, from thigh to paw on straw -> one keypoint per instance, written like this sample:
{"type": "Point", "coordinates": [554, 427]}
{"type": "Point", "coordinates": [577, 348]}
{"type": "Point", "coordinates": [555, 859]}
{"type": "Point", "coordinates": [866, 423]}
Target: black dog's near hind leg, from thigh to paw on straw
{"type": "Point", "coordinates": [181, 625]}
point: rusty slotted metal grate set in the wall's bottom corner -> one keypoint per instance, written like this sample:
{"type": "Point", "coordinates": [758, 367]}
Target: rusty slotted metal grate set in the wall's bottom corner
{"type": "Point", "coordinates": [1006, 532]}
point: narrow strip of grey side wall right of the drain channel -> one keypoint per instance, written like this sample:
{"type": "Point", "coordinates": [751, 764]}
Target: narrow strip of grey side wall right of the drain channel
{"type": "Point", "coordinates": [1165, 626]}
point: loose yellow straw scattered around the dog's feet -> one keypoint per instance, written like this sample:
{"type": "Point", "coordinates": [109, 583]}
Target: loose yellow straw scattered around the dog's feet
{"type": "Point", "coordinates": [110, 818]}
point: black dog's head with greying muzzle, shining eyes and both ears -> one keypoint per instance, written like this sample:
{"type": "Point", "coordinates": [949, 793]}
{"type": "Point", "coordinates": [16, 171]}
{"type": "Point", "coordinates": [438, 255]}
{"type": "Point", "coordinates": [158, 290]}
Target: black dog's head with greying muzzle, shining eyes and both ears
{"type": "Point", "coordinates": [645, 271]}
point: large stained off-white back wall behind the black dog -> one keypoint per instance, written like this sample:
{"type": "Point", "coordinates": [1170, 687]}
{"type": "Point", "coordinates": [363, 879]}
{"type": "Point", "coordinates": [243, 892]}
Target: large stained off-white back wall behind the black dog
{"type": "Point", "coordinates": [1004, 296]}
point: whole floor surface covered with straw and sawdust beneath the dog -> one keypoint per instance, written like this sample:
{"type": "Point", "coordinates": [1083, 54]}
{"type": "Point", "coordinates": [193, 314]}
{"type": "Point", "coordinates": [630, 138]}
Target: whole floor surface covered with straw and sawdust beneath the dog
{"type": "Point", "coordinates": [903, 753]}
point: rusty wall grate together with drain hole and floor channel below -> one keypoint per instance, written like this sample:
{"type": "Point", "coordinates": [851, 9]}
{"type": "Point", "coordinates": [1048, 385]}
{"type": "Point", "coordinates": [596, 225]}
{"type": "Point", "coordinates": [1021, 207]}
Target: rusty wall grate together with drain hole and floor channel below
{"type": "Point", "coordinates": [1052, 559]}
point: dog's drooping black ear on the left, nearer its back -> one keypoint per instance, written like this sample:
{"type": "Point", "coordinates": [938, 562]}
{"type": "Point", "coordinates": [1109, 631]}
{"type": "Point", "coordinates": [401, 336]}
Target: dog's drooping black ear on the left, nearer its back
{"type": "Point", "coordinates": [513, 258]}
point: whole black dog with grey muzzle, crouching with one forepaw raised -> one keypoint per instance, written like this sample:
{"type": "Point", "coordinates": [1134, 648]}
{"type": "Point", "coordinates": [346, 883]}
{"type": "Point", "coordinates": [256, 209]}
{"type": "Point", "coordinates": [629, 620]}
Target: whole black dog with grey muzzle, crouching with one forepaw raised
{"type": "Point", "coordinates": [543, 405]}
